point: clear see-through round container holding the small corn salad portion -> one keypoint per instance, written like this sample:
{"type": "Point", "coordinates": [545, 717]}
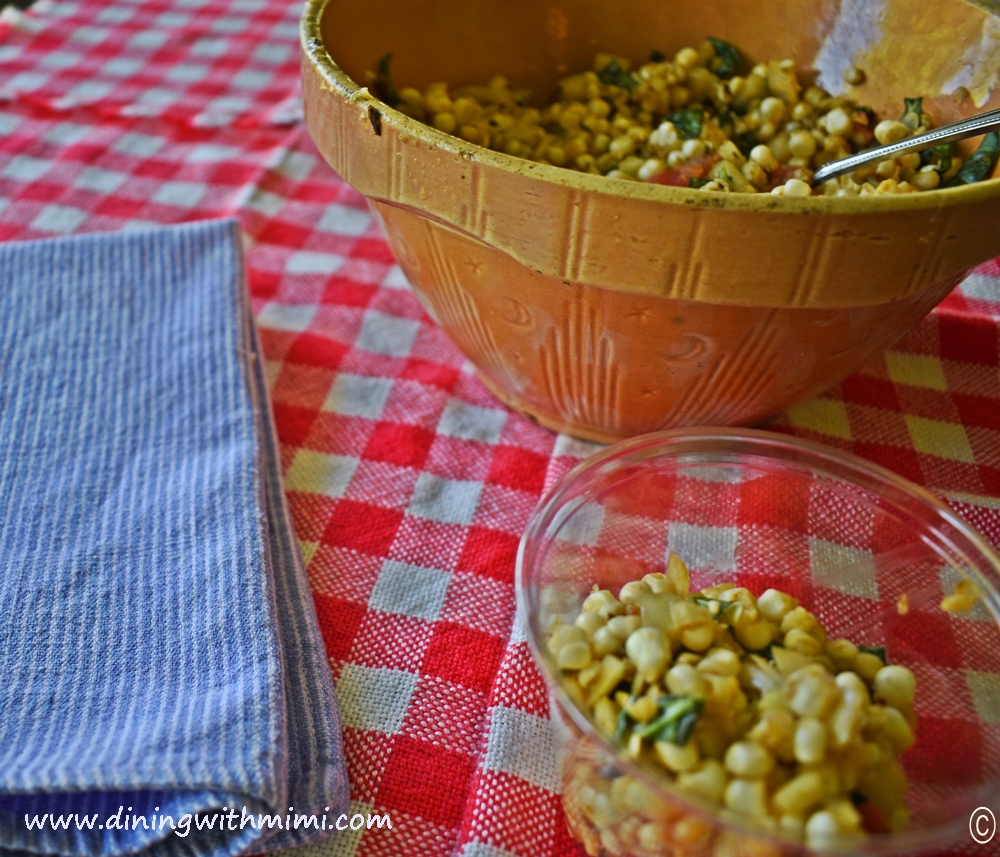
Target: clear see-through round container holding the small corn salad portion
{"type": "Point", "coordinates": [845, 537]}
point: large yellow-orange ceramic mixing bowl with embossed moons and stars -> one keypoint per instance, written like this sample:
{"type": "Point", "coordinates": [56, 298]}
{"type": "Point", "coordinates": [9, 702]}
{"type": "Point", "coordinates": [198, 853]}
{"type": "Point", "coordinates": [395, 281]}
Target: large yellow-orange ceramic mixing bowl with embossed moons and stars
{"type": "Point", "coordinates": [608, 308]}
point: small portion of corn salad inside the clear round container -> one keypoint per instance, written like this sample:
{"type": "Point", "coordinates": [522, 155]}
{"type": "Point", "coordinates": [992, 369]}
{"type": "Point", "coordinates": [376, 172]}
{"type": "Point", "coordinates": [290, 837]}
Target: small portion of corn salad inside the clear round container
{"type": "Point", "coordinates": [743, 702]}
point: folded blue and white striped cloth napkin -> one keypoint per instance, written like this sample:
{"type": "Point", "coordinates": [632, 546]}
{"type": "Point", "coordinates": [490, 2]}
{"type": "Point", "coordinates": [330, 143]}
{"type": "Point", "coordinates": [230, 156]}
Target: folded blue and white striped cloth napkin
{"type": "Point", "coordinates": [160, 661]}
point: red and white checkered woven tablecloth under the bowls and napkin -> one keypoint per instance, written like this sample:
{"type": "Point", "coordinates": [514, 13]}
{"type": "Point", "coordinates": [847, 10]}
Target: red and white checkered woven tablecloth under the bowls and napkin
{"type": "Point", "coordinates": [409, 484]}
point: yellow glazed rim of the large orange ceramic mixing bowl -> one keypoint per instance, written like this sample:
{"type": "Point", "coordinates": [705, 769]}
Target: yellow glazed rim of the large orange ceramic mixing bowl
{"type": "Point", "coordinates": [338, 81]}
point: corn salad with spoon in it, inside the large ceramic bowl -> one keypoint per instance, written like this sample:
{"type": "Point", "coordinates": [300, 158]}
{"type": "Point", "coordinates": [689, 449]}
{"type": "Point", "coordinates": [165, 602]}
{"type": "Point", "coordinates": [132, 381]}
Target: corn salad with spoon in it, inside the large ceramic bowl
{"type": "Point", "coordinates": [694, 121]}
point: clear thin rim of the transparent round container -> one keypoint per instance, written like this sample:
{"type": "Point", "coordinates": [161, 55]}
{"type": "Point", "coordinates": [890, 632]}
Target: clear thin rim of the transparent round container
{"type": "Point", "coordinates": [812, 453]}
